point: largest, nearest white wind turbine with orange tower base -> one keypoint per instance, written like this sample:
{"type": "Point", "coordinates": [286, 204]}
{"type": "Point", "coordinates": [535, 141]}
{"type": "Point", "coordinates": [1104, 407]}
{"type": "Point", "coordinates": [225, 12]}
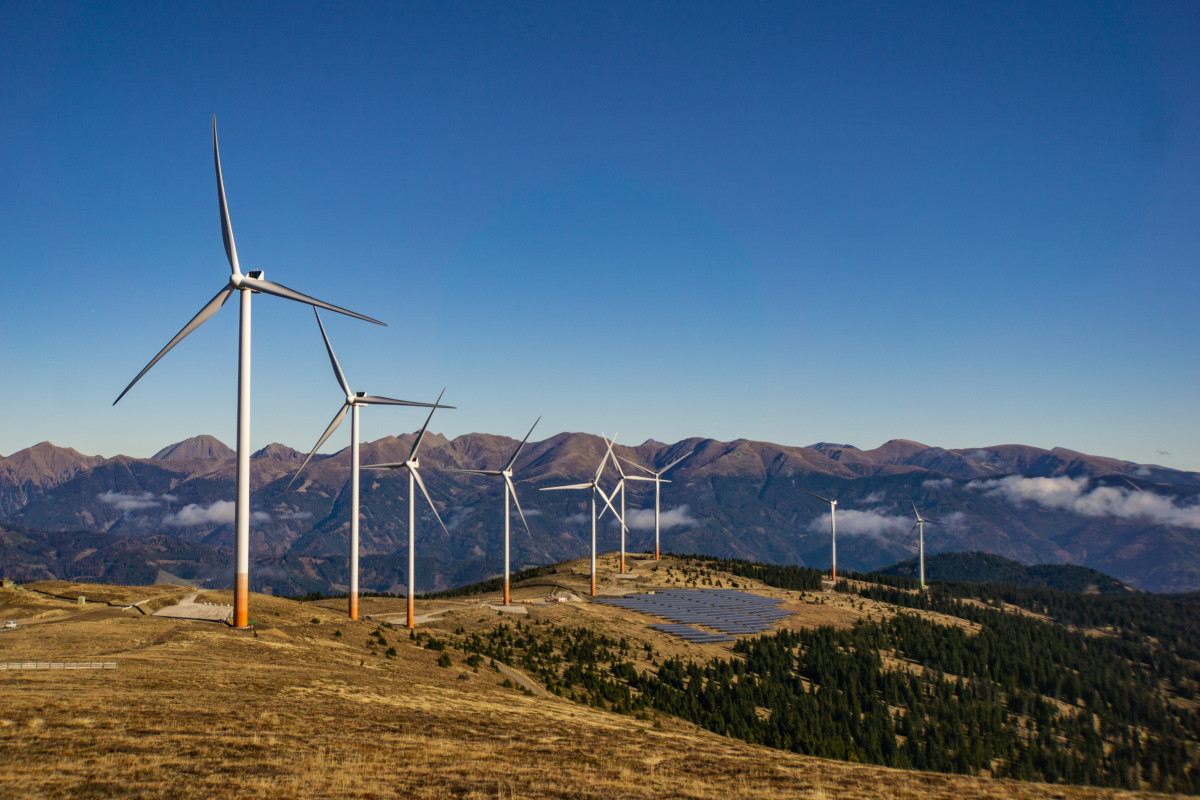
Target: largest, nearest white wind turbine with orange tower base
{"type": "Point", "coordinates": [247, 285]}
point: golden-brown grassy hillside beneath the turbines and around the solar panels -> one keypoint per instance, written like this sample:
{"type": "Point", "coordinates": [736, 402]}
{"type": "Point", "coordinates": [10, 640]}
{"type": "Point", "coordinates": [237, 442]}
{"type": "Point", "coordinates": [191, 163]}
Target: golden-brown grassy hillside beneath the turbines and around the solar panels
{"type": "Point", "coordinates": [310, 705]}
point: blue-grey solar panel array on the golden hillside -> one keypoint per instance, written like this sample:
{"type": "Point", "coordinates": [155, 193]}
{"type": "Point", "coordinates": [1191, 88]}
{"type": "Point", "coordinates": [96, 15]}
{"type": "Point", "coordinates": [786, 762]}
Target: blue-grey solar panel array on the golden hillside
{"type": "Point", "coordinates": [733, 613]}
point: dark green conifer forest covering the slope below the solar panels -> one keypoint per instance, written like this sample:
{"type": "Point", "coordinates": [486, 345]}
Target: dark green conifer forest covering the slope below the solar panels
{"type": "Point", "coordinates": [1001, 694]}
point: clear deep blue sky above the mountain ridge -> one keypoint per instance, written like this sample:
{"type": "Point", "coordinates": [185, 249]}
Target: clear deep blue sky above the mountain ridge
{"type": "Point", "coordinates": [961, 224]}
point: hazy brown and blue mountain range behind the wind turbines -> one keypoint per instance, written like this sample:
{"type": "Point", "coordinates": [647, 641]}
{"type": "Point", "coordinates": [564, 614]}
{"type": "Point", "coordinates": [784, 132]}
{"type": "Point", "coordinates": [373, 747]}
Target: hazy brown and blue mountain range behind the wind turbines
{"type": "Point", "coordinates": [734, 500]}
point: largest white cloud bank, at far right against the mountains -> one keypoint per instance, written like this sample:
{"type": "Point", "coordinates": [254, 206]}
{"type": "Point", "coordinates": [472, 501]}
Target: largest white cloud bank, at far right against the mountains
{"type": "Point", "coordinates": [1073, 495]}
